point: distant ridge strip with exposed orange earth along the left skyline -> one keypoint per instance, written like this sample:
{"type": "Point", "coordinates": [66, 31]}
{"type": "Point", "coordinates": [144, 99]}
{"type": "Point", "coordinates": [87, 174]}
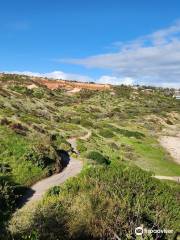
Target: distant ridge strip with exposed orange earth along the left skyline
{"type": "Point", "coordinates": [56, 84]}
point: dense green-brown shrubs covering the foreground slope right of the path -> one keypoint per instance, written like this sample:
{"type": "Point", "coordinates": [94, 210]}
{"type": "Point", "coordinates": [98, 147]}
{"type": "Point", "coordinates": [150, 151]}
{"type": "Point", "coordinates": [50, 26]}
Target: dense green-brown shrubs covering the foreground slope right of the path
{"type": "Point", "coordinates": [103, 202]}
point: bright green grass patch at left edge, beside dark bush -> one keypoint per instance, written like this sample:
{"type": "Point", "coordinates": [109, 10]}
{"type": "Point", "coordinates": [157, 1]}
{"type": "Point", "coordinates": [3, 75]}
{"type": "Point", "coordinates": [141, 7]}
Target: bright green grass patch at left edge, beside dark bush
{"type": "Point", "coordinates": [12, 151]}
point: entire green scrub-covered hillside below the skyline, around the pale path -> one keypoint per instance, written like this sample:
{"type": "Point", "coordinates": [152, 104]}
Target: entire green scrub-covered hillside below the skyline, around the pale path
{"type": "Point", "coordinates": [115, 192]}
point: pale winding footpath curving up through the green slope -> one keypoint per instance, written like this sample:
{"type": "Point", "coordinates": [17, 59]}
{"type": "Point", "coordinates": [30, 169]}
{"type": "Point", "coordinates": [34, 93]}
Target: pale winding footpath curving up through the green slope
{"type": "Point", "coordinates": [74, 167]}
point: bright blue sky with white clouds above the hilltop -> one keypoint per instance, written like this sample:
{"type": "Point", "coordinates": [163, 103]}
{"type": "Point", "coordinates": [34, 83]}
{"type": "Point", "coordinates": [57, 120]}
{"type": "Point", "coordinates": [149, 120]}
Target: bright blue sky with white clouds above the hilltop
{"type": "Point", "coordinates": [105, 41]}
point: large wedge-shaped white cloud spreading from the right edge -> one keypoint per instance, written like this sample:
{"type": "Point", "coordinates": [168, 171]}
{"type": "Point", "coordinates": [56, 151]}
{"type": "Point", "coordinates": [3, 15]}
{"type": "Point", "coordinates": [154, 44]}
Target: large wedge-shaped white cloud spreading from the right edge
{"type": "Point", "coordinates": [152, 59]}
